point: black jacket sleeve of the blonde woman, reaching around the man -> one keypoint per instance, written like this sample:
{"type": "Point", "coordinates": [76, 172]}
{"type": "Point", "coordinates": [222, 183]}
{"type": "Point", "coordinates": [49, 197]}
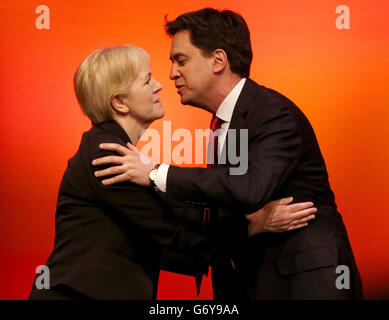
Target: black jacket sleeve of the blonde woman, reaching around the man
{"type": "Point", "coordinates": [141, 208]}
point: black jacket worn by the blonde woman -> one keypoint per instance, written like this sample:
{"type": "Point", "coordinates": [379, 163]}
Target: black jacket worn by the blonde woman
{"type": "Point", "coordinates": [111, 241]}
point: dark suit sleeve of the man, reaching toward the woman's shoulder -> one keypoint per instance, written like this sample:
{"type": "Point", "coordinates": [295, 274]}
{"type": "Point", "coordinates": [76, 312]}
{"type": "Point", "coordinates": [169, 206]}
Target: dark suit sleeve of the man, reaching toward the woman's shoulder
{"type": "Point", "coordinates": [274, 149]}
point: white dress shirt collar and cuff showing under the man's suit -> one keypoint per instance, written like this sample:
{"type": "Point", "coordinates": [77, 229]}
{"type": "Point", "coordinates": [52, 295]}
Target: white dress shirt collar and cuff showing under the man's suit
{"type": "Point", "coordinates": [224, 113]}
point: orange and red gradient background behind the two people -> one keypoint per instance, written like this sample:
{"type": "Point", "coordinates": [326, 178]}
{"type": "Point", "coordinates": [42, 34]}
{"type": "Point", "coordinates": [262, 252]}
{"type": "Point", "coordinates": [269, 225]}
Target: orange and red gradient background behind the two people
{"type": "Point", "coordinates": [339, 78]}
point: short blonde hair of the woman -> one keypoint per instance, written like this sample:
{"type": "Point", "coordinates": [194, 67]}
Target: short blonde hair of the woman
{"type": "Point", "coordinates": [102, 75]}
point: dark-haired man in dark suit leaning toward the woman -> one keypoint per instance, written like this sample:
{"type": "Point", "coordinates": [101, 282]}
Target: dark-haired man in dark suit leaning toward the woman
{"type": "Point", "coordinates": [211, 56]}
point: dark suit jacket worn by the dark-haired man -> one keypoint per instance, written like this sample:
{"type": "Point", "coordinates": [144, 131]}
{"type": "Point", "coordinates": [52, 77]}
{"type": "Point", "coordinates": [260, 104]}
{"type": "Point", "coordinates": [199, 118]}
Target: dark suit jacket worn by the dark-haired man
{"type": "Point", "coordinates": [284, 159]}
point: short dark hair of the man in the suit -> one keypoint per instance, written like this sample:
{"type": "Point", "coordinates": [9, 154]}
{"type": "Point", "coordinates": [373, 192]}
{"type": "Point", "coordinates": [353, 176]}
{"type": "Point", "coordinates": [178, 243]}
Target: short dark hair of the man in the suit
{"type": "Point", "coordinates": [211, 29]}
